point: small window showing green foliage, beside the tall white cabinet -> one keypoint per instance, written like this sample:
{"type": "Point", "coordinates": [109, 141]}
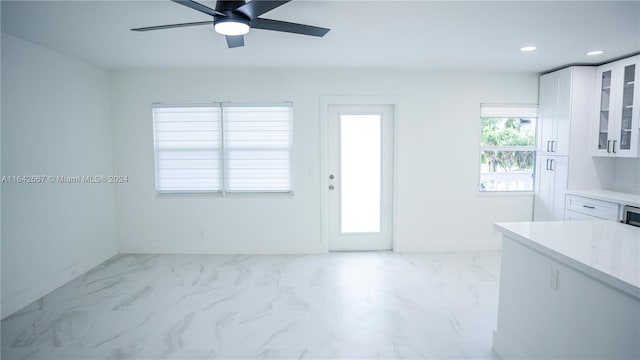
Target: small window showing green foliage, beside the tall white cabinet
{"type": "Point", "coordinates": [507, 147]}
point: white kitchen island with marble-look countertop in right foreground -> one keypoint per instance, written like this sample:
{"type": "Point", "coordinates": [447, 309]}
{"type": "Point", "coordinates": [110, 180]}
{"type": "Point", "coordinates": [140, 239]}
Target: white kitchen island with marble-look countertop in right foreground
{"type": "Point", "coordinates": [569, 290]}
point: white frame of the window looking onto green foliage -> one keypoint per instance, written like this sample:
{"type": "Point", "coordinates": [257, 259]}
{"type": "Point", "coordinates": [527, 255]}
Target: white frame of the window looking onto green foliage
{"type": "Point", "coordinates": [511, 111]}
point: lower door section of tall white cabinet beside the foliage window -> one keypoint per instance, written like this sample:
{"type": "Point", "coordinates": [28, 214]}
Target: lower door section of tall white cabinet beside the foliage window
{"type": "Point", "coordinates": [551, 184]}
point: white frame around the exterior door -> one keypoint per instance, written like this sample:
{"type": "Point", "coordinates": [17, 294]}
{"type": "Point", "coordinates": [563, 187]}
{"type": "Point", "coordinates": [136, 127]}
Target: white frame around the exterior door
{"type": "Point", "coordinates": [325, 102]}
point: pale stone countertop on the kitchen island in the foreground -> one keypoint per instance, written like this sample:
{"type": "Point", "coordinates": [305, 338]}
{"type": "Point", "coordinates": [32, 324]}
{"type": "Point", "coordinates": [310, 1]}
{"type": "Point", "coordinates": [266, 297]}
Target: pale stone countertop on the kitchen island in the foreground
{"type": "Point", "coordinates": [606, 250]}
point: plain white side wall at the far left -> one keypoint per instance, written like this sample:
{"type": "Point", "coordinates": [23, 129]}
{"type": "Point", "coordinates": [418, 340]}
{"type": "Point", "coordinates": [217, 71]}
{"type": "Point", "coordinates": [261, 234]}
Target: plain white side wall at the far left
{"type": "Point", "coordinates": [55, 121]}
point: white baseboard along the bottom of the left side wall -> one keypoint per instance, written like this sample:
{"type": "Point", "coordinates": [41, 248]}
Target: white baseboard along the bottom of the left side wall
{"type": "Point", "coordinates": [26, 297]}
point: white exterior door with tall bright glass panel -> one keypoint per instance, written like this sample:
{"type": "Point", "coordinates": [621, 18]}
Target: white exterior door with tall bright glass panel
{"type": "Point", "coordinates": [360, 177]}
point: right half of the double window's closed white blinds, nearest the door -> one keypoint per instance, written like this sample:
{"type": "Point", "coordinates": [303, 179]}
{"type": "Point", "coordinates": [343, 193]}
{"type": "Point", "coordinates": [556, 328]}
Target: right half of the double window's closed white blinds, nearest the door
{"type": "Point", "coordinates": [257, 145]}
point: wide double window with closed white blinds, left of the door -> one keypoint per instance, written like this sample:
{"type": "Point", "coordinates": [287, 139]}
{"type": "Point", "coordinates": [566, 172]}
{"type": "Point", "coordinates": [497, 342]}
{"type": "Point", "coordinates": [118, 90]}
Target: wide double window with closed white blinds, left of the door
{"type": "Point", "coordinates": [223, 148]}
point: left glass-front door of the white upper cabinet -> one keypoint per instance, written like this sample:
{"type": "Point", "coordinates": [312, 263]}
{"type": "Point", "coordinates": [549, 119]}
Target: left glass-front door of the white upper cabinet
{"type": "Point", "coordinates": [603, 129]}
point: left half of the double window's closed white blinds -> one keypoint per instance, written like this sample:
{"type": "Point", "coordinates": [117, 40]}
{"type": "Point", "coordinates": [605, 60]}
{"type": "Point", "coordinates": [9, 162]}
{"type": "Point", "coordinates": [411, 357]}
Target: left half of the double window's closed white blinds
{"type": "Point", "coordinates": [187, 146]}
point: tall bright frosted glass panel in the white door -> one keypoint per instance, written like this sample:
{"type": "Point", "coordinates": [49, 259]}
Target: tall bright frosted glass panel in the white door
{"type": "Point", "coordinates": [360, 166]}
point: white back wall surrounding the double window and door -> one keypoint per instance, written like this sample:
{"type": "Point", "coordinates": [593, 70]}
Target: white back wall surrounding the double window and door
{"type": "Point", "coordinates": [438, 206]}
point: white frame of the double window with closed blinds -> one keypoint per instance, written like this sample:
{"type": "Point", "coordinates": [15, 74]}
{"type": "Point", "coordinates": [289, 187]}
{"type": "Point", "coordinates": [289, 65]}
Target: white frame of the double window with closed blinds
{"type": "Point", "coordinates": [222, 151]}
